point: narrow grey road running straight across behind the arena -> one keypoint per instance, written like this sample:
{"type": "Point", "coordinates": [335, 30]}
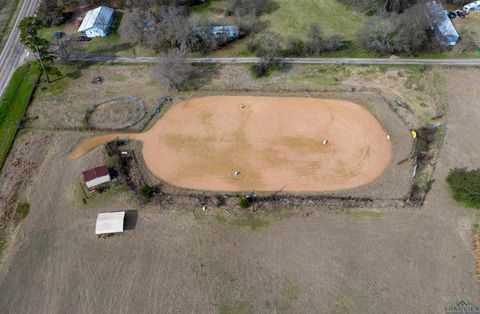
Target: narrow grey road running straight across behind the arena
{"type": "Point", "coordinates": [365, 61]}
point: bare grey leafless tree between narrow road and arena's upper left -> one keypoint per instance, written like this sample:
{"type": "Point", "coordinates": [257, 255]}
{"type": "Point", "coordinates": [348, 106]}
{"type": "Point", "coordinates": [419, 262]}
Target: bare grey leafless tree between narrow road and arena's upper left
{"type": "Point", "coordinates": [174, 68]}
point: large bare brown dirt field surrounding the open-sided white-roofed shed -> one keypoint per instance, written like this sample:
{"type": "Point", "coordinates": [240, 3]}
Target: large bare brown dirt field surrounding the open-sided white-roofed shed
{"type": "Point", "coordinates": [179, 260]}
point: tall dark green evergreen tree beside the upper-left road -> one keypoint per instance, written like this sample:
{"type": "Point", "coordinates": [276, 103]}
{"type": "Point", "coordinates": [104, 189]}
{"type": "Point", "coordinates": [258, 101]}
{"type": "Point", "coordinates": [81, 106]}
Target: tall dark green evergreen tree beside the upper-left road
{"type": "Point", "coordinates": [29, 27]}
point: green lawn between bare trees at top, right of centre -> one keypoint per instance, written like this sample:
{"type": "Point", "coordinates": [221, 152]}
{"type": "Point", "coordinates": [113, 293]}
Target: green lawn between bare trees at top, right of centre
{"type": "Point", "coordinates": [295, 17]}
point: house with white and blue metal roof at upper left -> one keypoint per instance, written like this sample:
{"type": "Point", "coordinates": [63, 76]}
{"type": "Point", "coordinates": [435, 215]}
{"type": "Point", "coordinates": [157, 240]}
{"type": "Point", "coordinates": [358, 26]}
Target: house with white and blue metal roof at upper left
{"type": "Point", "coordinates": [97, 22]}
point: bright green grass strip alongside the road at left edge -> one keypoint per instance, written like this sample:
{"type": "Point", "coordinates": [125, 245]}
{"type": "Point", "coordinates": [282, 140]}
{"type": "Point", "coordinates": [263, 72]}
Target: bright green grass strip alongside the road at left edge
{"type": "Point", "coordinates": [14, 103]}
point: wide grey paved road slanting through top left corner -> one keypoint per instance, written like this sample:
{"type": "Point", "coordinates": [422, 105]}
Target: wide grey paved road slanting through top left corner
{"type": "Point", "coordinates": [13, 50]}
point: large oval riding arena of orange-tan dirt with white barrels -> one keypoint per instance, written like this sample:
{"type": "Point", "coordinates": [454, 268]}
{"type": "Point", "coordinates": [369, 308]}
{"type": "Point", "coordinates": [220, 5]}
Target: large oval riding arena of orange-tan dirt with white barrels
{"type": "Point", "coordinates": [238, 143]}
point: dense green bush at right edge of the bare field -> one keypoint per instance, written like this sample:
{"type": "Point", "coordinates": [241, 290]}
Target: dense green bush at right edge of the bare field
{"type": "Point", "coordinates": [465, 186]}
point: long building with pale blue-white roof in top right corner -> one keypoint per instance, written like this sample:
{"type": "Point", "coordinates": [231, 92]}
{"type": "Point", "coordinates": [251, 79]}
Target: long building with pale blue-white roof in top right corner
{"type": "Point", "coordinates": [442, 24]}
